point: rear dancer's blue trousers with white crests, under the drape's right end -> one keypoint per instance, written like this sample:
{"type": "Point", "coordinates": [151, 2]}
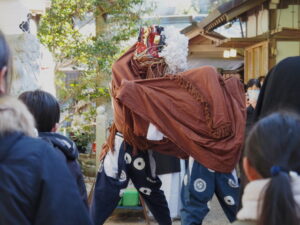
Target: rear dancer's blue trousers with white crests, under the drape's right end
{"type": "Point", "coordinates": [199, 186]}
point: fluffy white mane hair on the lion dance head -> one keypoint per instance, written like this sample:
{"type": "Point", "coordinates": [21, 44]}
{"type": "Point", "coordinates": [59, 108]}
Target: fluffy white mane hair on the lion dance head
{"type": "Point", "coordinates": [176, 50]}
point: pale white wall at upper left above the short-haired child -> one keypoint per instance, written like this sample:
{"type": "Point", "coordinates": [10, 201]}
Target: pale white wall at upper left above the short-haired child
{"type": "Point", "coordinates": [33, 64]}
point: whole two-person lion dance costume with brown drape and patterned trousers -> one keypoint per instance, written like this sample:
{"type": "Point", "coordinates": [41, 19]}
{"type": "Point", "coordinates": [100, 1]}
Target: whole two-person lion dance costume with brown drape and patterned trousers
{"type": "Point", "coordinates": [160, 107]}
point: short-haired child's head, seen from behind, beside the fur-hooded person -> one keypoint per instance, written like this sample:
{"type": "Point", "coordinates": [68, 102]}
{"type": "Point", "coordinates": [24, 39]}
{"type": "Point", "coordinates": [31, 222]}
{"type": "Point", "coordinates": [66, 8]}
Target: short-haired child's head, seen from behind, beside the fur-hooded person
{"type": "Point", "coordinates": [44, 107]}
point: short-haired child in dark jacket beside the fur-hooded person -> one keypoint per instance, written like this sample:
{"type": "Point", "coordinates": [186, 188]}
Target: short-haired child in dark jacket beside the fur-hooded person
{"type": "Point", "coordinates": [46, 111]}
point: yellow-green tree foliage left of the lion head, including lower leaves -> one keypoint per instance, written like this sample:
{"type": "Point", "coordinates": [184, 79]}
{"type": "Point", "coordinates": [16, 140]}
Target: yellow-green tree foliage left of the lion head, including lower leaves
{"type": "Point", "coordinates": [92, 55]}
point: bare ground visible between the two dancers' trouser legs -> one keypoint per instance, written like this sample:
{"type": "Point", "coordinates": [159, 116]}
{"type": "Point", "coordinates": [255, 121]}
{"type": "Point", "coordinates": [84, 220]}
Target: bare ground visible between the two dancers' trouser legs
{"type": "Point", "coordinates": [127, 217]}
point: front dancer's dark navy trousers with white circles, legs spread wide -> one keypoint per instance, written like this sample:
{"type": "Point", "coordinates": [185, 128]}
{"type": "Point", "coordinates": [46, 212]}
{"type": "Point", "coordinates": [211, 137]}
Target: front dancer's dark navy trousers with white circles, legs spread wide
{"type": "Point", "coordinates": [140, 169]}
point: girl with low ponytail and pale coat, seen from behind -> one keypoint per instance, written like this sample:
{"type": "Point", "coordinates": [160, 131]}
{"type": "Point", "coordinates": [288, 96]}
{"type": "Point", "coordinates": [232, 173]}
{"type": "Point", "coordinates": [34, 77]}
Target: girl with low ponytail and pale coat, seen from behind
{"type": "Point", "coordinates": [271, 164]}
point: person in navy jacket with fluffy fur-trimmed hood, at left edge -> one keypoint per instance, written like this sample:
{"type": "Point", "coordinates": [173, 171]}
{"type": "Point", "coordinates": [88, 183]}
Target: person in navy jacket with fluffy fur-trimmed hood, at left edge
{"type": "Point", "coordinates": [35, 184]}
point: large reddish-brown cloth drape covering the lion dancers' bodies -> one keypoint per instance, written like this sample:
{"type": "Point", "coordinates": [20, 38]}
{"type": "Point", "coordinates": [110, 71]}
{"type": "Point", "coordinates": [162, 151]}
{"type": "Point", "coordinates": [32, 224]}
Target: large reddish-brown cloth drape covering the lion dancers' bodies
{"type": "Point", "coordinates": [200, 114]}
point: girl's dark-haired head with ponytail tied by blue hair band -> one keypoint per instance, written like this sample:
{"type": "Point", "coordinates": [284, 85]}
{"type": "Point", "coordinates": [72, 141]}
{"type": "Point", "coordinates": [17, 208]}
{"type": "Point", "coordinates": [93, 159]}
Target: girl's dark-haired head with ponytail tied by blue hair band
{"type": "Point", "coordinates": [273, 151]}
